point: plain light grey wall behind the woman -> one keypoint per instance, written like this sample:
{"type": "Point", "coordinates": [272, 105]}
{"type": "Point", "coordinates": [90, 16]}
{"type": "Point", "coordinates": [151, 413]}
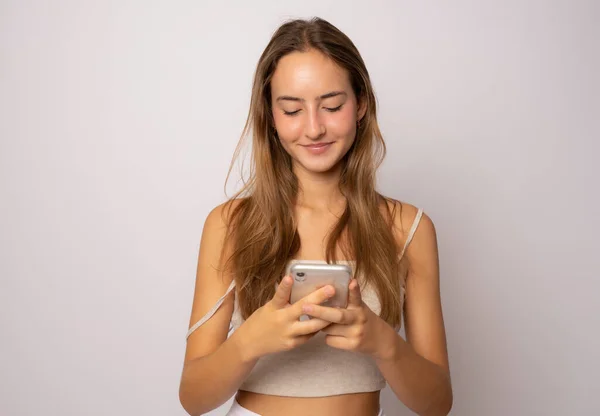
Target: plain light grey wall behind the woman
{"type": "Point", "coordinates": [118, 123]}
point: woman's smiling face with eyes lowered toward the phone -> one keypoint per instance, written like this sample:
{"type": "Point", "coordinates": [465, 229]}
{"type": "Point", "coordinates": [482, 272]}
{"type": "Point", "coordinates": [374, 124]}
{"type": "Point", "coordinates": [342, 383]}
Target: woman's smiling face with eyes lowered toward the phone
{"type": "Point", "coordinates": [315, 110]}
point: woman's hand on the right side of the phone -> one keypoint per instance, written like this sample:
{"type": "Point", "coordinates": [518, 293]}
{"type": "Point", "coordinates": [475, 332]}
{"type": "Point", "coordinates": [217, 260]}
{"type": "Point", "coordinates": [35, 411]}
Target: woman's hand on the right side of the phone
{"type": "Point", "coordinates": [355, 328]}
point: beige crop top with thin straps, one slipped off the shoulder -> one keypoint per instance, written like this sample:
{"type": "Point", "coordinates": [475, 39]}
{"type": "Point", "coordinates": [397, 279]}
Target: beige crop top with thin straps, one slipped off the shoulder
{"type": "Point", "coordinates": [313, 369]}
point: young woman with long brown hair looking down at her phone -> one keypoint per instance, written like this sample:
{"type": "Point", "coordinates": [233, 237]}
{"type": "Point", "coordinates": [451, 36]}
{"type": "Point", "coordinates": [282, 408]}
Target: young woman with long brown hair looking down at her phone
{"type": "Point", "coordinates": [311, 197]}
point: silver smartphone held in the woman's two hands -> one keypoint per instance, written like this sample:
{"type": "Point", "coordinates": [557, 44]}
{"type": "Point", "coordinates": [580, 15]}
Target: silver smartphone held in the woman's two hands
{"type": "Point", "coordinates": [309, 277]}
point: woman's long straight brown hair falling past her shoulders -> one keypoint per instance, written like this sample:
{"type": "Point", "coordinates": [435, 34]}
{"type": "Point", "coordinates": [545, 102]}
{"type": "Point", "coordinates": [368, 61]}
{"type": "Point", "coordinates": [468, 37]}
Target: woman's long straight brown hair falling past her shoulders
{"type": "Point", "coordinates": [262, 234]}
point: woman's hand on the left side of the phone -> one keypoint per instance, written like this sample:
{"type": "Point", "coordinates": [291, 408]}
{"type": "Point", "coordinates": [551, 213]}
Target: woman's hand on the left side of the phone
{"type": "Point", "coordinates": [276, 326]}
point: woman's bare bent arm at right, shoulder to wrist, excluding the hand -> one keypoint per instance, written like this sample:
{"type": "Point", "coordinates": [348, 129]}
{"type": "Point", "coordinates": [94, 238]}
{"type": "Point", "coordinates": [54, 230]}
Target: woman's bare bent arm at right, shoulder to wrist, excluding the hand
{"type": "Point", "coordinates": [417, 370]}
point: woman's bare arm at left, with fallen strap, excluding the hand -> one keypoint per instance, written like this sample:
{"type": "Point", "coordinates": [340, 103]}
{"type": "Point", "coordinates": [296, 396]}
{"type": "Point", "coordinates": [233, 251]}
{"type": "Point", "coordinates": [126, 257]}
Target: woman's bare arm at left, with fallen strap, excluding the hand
{"type": "Point", "coordinates": [214, 366]}
